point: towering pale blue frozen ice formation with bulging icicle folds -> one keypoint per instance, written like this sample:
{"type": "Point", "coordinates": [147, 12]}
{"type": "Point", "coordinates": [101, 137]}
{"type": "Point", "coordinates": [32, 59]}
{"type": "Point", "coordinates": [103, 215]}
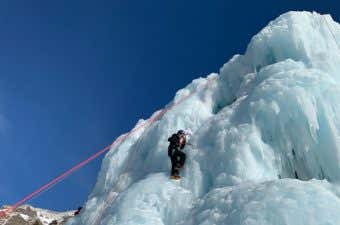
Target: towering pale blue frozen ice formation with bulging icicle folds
{"type": "Point", "coordinates": [265, 141]}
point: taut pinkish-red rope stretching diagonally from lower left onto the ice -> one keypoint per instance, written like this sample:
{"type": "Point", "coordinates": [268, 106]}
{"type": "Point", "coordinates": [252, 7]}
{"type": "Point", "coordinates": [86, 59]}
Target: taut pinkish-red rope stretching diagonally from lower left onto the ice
{"type": "Point", "coordinates": [97, 154]}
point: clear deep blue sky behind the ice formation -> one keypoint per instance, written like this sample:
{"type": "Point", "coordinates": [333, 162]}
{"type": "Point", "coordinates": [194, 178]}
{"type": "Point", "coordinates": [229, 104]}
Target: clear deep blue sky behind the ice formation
{"type": "Point", "coordinates": [76, 74]}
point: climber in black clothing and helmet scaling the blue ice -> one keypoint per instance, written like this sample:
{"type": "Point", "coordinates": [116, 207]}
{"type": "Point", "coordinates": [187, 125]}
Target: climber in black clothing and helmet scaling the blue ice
{"type": "Point", "coordinates": [175, 152]}
